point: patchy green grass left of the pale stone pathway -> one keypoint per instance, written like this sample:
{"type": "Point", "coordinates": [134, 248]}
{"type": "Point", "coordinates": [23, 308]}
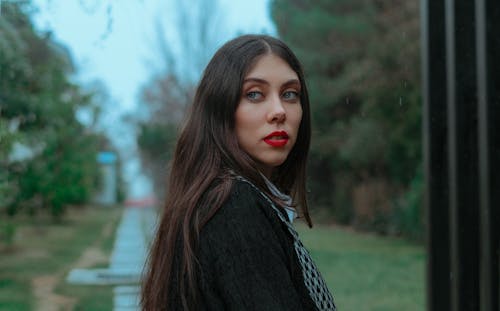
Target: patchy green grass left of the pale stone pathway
{"type": "Point", "coordinates": [33, 270]}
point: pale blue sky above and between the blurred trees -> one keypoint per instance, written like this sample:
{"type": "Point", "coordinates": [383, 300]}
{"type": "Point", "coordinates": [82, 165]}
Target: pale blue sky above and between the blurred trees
{"type": "Point", "coordinates": [114, 42]}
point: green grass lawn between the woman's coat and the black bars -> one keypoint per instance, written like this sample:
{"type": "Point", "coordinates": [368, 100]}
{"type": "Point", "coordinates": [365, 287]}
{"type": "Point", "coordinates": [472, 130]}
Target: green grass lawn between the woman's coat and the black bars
{"type": "Point", "coordinates": [368, 272]}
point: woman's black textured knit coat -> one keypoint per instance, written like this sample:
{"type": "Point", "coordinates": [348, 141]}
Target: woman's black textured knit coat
{"type": "Point", "coordinates": [247, 259]}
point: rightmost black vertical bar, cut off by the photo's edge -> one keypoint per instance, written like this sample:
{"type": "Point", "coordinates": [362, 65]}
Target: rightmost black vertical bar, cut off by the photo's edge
{"type": "Point", "coordinates": [488, 47]}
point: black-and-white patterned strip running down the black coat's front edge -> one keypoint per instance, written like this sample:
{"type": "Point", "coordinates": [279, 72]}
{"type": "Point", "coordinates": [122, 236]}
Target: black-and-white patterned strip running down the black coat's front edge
{"type": "Point", "coordinates": [313, 280]}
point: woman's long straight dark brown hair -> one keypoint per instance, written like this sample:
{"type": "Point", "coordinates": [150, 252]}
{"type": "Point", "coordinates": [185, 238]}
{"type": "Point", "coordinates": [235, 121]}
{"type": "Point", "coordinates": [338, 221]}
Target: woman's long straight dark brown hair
{"type": "Point", "coordinates": [206, 154]}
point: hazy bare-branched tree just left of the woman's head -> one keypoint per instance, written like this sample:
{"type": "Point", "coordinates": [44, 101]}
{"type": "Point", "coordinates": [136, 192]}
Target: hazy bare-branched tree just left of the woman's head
{"type": "Point", "coordinates": [171, 89]}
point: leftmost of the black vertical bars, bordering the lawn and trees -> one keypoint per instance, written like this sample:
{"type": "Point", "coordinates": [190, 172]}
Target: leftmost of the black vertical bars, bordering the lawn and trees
{"type": "Point", "coordinates": [435, 153]}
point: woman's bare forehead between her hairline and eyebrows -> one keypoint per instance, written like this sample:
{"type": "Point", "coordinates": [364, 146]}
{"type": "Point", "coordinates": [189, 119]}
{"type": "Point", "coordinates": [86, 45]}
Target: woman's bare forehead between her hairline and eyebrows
{"type": "Point", "coordinates": [270, 66]}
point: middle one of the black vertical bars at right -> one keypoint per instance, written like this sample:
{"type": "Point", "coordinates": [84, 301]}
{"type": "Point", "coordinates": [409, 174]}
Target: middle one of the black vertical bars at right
{"type": "Point", "coordinates": [463, 154]}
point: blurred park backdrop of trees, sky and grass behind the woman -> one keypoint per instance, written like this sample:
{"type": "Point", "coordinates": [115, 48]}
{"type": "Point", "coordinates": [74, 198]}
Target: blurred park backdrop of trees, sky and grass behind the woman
{"type": "Point", "coordinates": [91, 97]}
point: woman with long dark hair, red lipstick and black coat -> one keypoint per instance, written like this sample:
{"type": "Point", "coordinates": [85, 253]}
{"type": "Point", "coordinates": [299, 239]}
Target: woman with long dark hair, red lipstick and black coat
{"type": "Point", "coordinates": [225, 240]}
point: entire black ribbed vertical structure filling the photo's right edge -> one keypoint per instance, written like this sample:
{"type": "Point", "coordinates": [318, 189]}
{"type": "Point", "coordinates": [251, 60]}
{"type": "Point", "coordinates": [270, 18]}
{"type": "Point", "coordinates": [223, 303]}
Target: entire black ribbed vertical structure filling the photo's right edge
{"type": "Point", "coordinates": [461, 87]}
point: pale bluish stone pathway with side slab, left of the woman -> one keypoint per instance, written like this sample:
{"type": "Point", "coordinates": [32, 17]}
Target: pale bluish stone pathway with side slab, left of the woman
{"type": "Point", "coordinates": [127, 259]}
